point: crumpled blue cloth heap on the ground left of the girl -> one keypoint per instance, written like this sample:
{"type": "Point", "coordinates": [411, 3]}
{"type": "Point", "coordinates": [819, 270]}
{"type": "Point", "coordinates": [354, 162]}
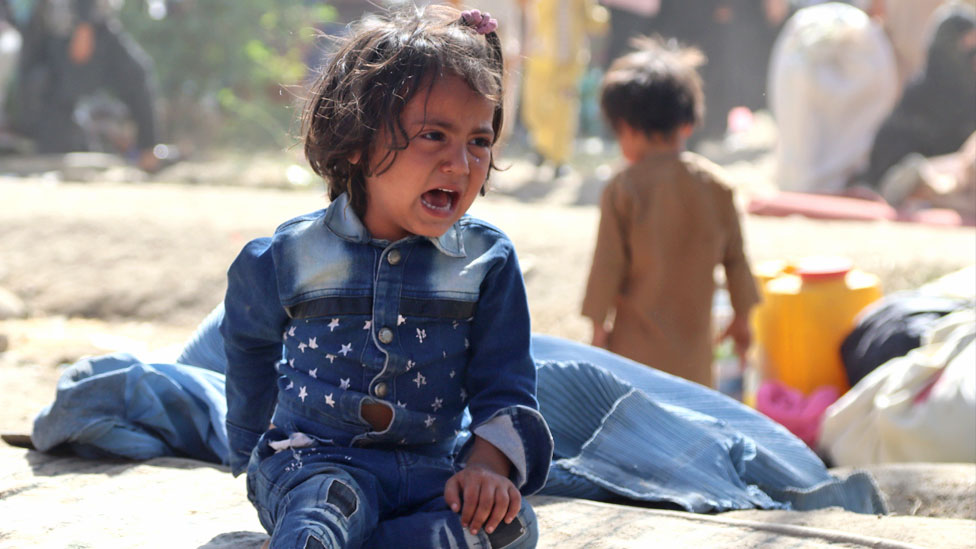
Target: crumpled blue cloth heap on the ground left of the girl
{"type": "Point", "coordinates": [117, 406]}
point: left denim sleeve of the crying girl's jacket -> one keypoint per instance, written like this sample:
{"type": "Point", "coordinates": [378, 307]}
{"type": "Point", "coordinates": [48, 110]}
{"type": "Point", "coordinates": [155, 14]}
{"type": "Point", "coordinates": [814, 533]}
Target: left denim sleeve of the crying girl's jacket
{"type": "Point", "coordinates": [253, 323]}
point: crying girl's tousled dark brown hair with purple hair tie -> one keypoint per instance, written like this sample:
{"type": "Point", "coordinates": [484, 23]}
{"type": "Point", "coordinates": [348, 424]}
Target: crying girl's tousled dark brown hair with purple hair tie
{"type": "Point", "coordinates": [363, 89]}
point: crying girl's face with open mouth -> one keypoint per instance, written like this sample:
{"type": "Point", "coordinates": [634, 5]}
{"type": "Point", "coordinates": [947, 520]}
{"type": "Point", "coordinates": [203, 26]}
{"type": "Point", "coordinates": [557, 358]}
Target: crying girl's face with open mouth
{"type": "Point", "coordinates": [432, 182]}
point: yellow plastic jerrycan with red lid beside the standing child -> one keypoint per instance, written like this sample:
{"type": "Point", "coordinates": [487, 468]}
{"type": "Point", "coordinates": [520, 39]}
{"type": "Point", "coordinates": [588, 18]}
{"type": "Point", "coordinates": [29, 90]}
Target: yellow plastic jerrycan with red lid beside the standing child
{"type": "Point", "coordinates": [808, 309]}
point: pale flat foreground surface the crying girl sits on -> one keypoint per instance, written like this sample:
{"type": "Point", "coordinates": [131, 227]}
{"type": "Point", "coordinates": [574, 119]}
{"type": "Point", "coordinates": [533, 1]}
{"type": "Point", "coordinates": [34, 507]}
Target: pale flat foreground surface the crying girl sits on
{"type": "Point", "coordinates": [52, 501]}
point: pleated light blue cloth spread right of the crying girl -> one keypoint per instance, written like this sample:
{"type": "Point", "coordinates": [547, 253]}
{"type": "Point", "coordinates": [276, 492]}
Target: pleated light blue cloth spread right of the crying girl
{"type": "Point", "coordinates": [623, 430]}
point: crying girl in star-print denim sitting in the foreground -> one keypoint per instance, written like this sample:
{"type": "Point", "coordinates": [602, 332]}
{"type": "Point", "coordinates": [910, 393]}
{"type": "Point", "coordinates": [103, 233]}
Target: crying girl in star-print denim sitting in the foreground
{"type": "Point", "coordinates": [364, 331]}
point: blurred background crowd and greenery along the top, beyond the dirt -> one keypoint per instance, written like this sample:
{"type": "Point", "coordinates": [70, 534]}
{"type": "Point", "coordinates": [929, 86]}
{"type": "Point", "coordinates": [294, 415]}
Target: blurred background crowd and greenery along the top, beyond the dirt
{"type": "Point", "coordinates": [870, 98]}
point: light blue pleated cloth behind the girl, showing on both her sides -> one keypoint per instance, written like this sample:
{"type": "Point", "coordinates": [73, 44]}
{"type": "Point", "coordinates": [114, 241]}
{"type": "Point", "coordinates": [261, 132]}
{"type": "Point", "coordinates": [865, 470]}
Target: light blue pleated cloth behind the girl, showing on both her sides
{"type": "Point", "coordinates": [621, 430]}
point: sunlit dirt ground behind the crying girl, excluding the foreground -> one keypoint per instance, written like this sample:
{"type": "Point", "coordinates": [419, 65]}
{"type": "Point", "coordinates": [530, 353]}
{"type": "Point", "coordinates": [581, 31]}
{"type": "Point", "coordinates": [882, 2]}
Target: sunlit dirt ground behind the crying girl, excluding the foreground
{"type": "Point", "coordinates": [102, 266]}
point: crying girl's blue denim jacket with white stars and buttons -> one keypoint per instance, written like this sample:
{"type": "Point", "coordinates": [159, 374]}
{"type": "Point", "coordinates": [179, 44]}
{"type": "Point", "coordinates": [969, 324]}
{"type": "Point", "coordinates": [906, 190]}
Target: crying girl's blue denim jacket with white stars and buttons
{"type": "Point", "coordinates": [321, 318]}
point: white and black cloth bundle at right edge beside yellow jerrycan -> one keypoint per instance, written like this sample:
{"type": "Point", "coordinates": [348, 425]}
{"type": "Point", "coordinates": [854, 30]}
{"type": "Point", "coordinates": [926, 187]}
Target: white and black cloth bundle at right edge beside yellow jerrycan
{"type": "Point", "coordinates": [911, 361]}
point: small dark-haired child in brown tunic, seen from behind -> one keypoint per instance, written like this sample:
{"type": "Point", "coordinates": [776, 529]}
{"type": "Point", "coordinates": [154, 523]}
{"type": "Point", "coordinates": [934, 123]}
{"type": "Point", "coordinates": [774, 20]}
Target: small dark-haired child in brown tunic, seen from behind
{"type": "Point", "coordinates": [666, 221]}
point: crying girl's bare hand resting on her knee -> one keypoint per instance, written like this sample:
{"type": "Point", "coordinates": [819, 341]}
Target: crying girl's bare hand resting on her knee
{"type": "Point", "coordinates": [483, 486]}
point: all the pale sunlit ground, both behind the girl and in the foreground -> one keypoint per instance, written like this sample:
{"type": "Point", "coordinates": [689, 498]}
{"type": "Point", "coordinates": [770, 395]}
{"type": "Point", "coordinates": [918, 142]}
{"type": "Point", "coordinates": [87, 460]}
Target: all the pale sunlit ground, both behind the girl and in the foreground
{"type": "Point", "coordinates": [105, 266]}
